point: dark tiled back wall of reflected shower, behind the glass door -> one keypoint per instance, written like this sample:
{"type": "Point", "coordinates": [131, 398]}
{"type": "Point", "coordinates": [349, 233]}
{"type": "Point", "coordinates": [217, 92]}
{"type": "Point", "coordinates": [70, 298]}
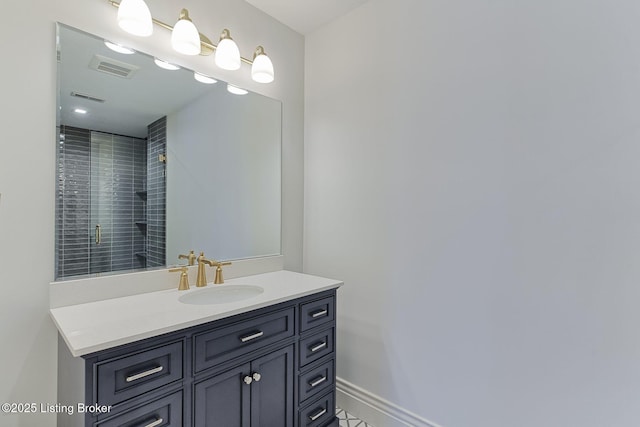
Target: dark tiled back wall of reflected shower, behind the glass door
{"type": "Point", "coordinates": [116, 171]}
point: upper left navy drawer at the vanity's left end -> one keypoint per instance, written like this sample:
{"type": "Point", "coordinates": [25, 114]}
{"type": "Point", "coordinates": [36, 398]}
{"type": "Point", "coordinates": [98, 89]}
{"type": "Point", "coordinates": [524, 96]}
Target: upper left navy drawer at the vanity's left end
{"type": "Point", "coordinates": [130, 376]}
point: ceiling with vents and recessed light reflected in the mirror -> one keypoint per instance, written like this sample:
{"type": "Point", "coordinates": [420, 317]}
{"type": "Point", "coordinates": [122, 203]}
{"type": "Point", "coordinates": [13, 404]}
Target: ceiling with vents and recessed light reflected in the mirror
{"type": "Point", "coordinates": [119, 105]}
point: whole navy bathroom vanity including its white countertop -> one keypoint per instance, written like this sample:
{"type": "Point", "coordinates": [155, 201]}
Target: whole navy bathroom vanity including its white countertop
{"type": "Point", "coordinates": [151, 360]}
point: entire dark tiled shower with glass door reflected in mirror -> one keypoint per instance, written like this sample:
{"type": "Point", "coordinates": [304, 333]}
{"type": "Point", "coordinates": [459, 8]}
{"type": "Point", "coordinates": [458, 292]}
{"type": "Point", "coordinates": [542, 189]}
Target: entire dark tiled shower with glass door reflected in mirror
{"type": "Point", "coordinates": [117, 183]}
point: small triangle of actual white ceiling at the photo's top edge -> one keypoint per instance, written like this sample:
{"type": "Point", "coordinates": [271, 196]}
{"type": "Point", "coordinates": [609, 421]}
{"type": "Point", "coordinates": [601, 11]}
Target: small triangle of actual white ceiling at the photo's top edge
{"type": "Point", "coordinates": [305, 16]}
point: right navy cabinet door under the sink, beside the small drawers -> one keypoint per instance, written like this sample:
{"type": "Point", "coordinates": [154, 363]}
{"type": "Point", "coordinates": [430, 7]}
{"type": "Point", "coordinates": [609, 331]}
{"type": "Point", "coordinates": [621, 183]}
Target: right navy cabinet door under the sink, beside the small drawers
{"type": "Point", "coordinates": [272, 395]}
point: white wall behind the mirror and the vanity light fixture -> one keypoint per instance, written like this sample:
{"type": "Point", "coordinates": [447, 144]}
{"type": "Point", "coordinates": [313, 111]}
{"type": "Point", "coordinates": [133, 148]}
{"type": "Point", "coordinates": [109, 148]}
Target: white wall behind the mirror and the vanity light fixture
{"type": "Point", "coordinates": [27, 166]}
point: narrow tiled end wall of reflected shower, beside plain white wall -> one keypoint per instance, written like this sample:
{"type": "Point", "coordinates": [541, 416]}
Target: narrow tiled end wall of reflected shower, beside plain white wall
{"type": "Point", "coordinates": [156, 193]}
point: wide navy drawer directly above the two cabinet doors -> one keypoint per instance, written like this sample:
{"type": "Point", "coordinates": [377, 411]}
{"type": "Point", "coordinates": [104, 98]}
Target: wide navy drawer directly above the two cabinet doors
{"type": "Point", "coordinates": [226, 343]}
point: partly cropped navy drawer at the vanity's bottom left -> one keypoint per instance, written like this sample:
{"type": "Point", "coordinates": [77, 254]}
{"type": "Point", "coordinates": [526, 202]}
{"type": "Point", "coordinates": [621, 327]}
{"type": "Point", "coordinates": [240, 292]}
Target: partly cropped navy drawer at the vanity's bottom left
{"type": "Point", "coordinates": [163, 412]}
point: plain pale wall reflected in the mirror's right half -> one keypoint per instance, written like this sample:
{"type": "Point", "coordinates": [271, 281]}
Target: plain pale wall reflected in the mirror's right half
{"type": "Point", "coordinates": [224, 186]}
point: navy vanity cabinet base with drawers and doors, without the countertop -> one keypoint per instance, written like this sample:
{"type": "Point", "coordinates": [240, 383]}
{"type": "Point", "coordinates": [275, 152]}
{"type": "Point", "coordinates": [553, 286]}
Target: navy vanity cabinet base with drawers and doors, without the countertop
{"type": "Point", "coordinates": [270, 367]}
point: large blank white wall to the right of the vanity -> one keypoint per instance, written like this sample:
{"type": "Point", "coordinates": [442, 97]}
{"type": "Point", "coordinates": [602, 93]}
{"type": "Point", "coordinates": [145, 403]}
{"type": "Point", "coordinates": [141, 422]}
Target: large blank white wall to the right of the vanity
{"type": "Point", "coordinates": [471, 173]}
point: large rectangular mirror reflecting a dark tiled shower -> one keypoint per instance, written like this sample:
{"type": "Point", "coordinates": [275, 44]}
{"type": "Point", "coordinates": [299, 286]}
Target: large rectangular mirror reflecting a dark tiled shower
{"type": "Point", "coordinates": [152, 163]}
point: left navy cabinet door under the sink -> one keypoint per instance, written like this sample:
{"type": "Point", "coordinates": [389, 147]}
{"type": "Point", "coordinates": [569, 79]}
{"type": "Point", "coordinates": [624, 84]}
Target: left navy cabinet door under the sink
{"type": "Point", "coordinates": [223, 400]}
